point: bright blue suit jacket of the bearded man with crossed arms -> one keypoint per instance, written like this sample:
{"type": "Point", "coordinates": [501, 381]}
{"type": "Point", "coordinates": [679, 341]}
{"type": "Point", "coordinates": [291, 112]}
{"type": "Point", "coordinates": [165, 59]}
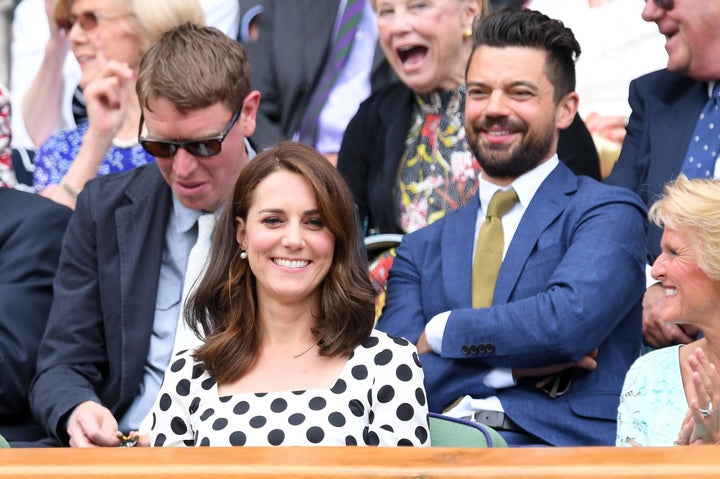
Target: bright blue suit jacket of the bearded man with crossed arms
{"type": "Point", "coordinates": [572, 280]}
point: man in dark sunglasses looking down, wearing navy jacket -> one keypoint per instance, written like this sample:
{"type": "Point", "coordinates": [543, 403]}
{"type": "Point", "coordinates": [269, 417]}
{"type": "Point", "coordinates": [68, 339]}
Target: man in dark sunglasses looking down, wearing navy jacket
{"type": "Point", "coordinates": [120, 281]}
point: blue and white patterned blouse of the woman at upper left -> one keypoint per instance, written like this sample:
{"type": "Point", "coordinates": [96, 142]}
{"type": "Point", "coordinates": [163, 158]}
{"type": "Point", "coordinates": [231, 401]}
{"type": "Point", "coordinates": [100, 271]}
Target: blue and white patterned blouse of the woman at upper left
{"type": "Point", "coordinates": [55, 156]}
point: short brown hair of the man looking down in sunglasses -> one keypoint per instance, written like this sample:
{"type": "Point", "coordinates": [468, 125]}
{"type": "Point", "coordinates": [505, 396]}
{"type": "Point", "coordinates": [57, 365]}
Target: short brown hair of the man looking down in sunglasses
{"type": "Point", "coordinates": [194, 67]}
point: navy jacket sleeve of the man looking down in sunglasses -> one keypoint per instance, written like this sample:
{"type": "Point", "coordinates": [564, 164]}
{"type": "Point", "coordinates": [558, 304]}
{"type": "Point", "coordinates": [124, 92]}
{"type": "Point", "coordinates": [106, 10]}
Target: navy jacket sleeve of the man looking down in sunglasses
{"type": "Point", "coordinates": [72, 358]}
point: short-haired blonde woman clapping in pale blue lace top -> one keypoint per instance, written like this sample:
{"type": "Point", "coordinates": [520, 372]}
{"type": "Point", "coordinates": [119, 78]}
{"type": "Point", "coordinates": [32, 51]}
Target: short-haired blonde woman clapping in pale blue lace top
{"type": "Point", "coordinates": [678, 385]}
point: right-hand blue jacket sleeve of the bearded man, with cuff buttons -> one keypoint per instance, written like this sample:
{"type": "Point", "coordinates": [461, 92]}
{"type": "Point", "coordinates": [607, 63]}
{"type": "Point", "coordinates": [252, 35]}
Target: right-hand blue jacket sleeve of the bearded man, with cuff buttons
{"type": "Point", "coordinates": [584, 289]}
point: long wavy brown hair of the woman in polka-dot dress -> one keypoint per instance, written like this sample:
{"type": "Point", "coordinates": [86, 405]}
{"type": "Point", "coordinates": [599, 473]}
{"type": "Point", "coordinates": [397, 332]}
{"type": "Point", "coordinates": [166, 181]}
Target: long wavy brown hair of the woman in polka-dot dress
{"type": "Point", "coordinates": [224, 306]}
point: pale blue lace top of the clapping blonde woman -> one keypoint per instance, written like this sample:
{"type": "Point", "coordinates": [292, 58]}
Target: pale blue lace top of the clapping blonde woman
{"type": "Point", "coordinates": [652, 403]}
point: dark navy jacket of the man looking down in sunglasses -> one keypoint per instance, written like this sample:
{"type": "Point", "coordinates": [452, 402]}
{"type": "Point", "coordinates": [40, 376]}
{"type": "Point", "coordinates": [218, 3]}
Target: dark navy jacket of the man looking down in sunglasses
{"type": "Point", "coordinates": [98, 334]}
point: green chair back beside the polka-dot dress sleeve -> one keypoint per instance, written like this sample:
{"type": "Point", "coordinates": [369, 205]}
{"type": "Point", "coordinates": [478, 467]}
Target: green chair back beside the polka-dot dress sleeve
{"type": "Point", "coordinates": [446, 431]}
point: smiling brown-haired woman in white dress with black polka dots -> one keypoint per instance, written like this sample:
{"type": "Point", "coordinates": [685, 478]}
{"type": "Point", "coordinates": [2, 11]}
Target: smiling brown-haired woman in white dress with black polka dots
{"type": "Point", "coordinates": [290, 356]}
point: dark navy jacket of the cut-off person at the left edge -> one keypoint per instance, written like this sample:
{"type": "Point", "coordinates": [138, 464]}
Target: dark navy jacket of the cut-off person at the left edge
{"type": "Point", "coordinates": [31, 233]}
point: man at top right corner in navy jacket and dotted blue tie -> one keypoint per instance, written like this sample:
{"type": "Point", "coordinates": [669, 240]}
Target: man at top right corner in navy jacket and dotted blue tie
{"type": "Point", "coordinates": [666, 107]}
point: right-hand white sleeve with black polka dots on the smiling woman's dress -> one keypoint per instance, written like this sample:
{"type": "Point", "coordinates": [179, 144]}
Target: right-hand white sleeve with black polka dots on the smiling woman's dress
{"type": "Point", "coordinates": [399, 404]}
